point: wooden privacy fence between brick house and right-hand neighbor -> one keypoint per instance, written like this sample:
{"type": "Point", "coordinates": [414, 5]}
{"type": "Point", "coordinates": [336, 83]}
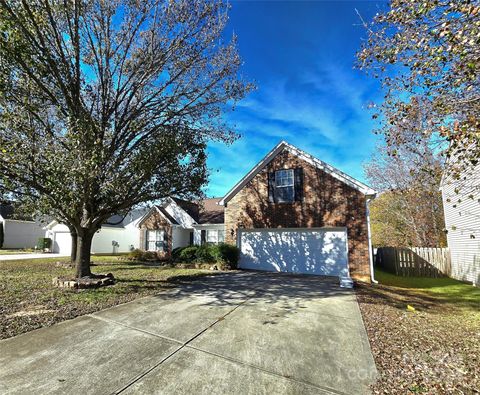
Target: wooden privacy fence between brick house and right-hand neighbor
{"type": "Point", "coordinates": [414, 261]}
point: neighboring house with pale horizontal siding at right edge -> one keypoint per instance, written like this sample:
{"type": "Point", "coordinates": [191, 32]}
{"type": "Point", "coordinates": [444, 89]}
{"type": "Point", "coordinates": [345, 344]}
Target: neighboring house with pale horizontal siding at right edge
{"type": "Point", "coordinates": [461, 203]}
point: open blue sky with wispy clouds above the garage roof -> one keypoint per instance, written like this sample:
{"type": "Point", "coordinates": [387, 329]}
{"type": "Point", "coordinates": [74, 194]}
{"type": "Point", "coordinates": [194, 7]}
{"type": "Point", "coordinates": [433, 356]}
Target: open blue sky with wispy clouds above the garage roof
{"type": "Point", "coordinates": [300, 55]}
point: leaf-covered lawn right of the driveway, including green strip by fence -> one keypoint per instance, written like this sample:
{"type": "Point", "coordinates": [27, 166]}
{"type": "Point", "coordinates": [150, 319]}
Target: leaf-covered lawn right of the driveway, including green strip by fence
{"type": "Point", "coordinates": [432, 348]}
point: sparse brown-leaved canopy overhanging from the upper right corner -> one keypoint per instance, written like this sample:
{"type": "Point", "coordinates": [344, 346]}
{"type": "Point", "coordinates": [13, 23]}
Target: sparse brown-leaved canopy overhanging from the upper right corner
{"type": "Point", "coordinates": [428, 51]}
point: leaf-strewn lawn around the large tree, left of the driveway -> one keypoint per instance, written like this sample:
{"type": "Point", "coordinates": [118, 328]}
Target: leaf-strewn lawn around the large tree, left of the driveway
{"type": "Point", "coordinates": [30, 301]}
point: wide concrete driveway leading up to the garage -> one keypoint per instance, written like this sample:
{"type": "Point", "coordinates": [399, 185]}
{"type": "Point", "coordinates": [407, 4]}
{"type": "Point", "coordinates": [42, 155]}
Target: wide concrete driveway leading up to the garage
{"type": "Point", "coordinates": [239, 333]}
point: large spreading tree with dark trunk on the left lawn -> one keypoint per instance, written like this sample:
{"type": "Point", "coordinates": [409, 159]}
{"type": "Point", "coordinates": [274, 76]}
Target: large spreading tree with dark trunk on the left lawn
{"type": "Point", "coordinates": [108, 105]}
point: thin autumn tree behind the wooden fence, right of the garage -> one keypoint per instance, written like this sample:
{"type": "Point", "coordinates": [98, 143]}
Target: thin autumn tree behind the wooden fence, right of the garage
{"type": "Point", "coordinates": [409, 210]}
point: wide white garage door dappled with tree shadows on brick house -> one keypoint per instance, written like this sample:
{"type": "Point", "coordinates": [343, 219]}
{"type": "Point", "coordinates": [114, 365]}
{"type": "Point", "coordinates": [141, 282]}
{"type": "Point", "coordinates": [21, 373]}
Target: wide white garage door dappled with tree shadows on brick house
{"type": "Point", "coordinates": [308, 251]}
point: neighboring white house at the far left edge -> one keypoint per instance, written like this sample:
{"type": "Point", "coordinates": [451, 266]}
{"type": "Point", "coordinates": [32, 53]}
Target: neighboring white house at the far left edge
{"type": "Point", "coordinates": [19, 231]}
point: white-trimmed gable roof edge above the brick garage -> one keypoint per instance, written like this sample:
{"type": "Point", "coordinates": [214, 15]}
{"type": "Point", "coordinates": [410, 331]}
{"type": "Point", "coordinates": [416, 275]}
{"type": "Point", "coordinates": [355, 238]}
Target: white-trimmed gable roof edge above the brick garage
{"type": "Point", "coordinates": [283, 145]}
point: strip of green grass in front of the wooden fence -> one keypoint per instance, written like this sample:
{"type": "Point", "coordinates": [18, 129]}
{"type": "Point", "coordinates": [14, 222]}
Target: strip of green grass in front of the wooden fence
{"type": "Point", "coordinates": [443, 290]}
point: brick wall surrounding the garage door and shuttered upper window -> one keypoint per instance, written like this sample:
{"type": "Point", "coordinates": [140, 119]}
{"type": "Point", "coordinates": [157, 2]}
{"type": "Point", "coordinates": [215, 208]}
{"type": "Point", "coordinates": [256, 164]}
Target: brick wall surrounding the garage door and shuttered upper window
{"type": "Point", "coordinates": [327, 202]}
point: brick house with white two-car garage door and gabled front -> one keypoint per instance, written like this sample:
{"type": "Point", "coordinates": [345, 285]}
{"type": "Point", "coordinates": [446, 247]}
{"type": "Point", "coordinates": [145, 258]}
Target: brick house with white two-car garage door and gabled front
{"type": "Point", "coordinates": [291, 212]}
